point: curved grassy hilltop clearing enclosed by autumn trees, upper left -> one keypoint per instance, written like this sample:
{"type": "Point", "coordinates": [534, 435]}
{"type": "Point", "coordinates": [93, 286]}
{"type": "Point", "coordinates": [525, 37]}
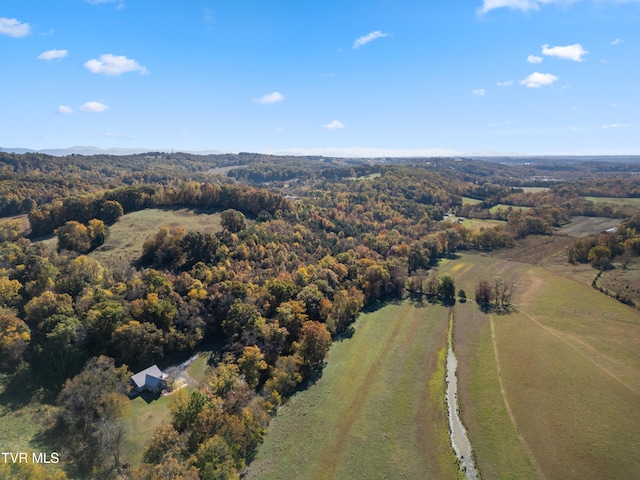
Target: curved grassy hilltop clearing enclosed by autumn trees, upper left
{"type": "Point", "coordinates": [128, 234]}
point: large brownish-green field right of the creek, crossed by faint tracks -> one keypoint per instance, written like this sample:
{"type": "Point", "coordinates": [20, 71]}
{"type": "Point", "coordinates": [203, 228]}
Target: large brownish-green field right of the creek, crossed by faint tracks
{"type": "Point", "coordinates": [570, 369]}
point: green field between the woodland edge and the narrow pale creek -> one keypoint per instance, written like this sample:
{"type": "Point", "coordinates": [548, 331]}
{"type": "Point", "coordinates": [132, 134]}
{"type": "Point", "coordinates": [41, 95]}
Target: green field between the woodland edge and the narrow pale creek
{"type": "Point", "coordinates": [377, 412]}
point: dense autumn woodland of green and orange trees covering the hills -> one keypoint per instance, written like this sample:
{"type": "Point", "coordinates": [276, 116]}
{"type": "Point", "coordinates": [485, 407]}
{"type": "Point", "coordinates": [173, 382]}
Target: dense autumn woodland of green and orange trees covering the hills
{"type": "Point", "coordinates": [306, 244]}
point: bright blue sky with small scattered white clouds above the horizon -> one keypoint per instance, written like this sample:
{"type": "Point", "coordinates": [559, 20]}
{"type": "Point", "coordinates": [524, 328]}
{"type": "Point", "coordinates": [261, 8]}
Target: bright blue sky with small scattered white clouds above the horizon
{"type": "Point", "coordinates": [364, 78]}
